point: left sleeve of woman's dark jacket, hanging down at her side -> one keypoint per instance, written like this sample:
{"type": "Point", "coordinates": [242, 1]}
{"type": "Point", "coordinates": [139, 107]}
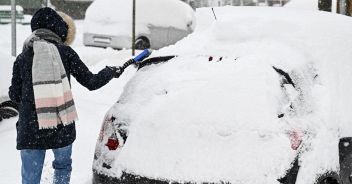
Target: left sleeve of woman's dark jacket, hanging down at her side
{"type": "Point", "coordinates": [15, 90]}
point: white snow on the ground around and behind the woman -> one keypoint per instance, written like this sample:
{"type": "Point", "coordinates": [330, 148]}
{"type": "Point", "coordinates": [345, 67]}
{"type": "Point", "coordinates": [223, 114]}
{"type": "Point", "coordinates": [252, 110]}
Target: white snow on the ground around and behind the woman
{"type": "Point", "coordinates": [91, 107]}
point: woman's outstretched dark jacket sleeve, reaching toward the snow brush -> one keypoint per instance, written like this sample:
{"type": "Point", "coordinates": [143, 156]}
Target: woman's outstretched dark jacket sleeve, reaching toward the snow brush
{"type": "Point", "coordinates": [81, 72]}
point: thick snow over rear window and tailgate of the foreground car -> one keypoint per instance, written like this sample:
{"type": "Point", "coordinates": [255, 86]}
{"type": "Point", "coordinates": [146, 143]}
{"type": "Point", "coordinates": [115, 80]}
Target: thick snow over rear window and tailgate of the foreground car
{"type": "Point", "coordinates": [192, 120]}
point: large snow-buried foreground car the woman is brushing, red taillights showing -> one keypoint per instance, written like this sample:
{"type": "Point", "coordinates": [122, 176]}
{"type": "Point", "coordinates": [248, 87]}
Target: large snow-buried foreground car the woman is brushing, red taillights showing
{"type": "Point", "coordinates": [260, 95]}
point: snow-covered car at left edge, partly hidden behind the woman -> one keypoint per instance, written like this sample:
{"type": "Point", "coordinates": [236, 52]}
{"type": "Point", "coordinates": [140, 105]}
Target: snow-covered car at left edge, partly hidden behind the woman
{"type": "Point", "coordinates": [8, 108]}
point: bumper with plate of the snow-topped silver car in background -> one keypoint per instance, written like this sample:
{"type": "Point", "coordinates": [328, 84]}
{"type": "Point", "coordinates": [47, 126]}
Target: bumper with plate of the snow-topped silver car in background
{"type": "Point", "coordinates": [99, 40]}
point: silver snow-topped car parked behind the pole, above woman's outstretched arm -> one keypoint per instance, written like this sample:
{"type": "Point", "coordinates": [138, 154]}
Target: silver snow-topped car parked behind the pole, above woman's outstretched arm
{"type": "Point", "coordinates": [159, 23]}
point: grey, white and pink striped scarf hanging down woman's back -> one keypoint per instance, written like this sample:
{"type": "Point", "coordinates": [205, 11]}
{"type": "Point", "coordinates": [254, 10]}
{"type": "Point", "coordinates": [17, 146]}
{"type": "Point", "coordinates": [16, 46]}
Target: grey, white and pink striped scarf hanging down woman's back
{"type": "Point", "coordinates": [52, 92]}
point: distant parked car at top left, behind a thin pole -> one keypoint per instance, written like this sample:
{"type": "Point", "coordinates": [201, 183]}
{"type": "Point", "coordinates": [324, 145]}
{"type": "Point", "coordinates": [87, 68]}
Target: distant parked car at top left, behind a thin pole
{"type": "Point", "coordinates": [5, 15]}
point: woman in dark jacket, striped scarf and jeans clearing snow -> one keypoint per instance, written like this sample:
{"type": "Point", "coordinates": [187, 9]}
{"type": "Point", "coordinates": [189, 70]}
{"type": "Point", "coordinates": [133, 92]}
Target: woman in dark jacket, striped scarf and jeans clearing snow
{"type": "Point", "coordinates": [41, 87]}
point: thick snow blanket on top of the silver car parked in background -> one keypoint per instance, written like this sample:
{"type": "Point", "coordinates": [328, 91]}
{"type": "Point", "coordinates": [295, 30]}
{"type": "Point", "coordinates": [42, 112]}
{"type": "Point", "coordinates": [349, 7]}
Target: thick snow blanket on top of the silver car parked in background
{"type": "Point", "coordinates": [114, 17]}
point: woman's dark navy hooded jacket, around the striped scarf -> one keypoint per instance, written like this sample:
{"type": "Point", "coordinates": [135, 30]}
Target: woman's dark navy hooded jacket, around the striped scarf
{"type": "Point", "coordinates": [29, 136]}
